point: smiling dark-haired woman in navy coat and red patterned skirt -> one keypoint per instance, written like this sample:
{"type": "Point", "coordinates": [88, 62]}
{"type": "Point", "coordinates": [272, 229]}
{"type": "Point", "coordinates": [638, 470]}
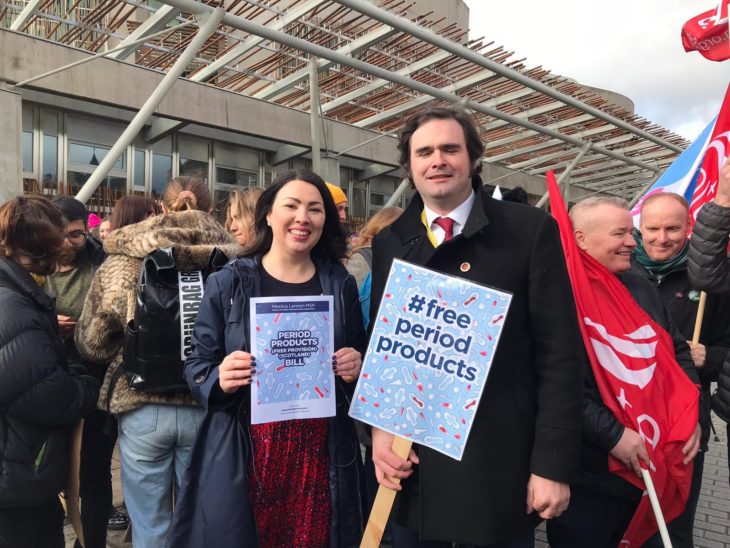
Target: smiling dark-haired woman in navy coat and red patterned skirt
{"type": "Point", "coordinates": [289, 483]}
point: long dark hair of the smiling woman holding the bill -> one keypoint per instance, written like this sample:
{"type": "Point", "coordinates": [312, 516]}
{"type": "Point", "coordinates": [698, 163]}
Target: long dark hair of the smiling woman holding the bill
{"type": "Point", "coordinates": [332, 245]}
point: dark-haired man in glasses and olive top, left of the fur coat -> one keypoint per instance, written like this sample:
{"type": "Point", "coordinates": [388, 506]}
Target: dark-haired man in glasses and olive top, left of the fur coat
{"type": "Point", "coordinates": [83, 255]}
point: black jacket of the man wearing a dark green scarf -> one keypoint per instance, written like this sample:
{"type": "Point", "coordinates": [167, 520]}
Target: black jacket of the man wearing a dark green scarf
{"type": "Point", "coordinates": [682, 301]}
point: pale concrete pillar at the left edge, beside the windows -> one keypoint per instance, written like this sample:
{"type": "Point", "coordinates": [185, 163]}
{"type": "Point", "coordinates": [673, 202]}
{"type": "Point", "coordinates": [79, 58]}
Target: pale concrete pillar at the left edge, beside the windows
{"type": "Point", "coordinates": [11, 154]}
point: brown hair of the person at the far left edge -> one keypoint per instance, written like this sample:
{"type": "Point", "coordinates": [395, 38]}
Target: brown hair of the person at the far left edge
{"type": "Point", "coordinates": [32, 226]}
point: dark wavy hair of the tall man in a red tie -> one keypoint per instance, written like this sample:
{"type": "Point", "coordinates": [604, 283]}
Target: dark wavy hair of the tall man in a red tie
{"type": "Point", "coordinates": [474, 145]}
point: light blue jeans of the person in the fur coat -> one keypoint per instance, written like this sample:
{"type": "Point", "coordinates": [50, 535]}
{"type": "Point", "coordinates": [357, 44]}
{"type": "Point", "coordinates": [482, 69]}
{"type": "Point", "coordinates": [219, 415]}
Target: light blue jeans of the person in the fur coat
{"type": "Point", "coordinates": [154, 444]}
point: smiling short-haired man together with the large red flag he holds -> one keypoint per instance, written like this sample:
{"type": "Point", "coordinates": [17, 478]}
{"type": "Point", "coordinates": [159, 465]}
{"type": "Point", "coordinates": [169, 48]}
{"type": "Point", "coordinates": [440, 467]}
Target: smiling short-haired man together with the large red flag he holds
{"type": "Point", "coordinates": [640, 408]}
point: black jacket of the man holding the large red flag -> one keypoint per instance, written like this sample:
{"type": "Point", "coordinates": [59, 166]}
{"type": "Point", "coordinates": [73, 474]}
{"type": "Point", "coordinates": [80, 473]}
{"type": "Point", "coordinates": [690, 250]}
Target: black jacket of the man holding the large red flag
{"type": "Point", "coordinates": [601, 429]}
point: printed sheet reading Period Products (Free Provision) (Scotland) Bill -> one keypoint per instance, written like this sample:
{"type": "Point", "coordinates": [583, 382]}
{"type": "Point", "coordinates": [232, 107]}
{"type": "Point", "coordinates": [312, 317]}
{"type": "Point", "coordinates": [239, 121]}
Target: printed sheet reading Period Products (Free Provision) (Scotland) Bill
{"type": "Point", "coordinates": [292, 339]}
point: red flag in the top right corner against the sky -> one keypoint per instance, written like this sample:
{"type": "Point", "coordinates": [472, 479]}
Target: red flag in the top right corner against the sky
{"type": "Point", "coordinates": [708, 33]}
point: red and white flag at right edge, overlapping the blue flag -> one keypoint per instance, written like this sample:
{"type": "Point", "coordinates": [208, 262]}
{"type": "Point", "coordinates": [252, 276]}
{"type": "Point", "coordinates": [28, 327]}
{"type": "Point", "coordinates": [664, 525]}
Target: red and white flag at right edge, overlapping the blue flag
{"type": "Point", "coordinates": [717, 152]}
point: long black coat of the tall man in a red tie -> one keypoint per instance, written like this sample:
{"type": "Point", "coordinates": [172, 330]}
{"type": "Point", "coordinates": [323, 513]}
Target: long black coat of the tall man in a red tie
{"type": "Point", "coordinates": [529, 417]}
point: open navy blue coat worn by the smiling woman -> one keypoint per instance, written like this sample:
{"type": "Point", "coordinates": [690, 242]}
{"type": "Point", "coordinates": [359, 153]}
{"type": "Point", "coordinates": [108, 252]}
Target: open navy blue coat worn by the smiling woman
{"type": "Point", "coordinates": [213, 507]}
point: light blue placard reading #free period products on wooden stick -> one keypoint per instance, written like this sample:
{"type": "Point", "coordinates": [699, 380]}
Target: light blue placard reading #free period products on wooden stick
{"type": "Point", "coordinates": [429, 356]}
